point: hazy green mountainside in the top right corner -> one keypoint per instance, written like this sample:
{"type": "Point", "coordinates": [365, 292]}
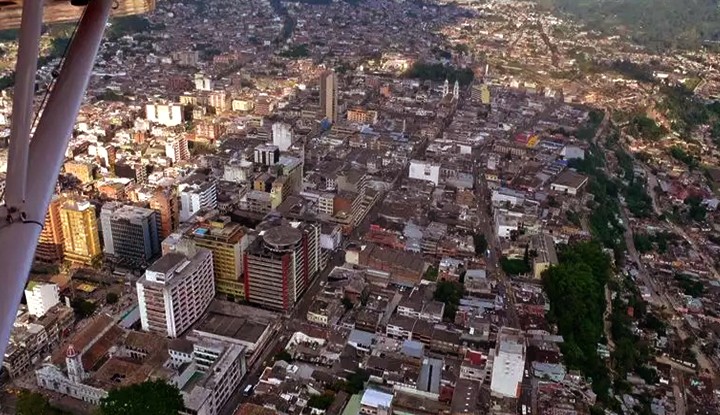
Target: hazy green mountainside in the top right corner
{"type": "Point", "coordinates": [658, 24]}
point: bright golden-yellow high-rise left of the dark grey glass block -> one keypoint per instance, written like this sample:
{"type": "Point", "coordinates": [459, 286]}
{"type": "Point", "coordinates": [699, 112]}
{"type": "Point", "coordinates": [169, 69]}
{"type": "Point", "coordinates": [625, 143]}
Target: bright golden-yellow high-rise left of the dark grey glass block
{"type": "Point", "coordinates": [81, 241]}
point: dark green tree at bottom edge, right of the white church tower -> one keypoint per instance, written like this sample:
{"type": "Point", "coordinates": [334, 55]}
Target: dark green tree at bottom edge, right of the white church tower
{"type": "Point", "coordinates": [150, 397]}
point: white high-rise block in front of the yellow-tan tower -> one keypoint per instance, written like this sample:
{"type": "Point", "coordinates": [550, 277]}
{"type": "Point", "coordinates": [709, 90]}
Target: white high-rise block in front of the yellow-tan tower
{"type": "Point", "coordinates": [175, 291]}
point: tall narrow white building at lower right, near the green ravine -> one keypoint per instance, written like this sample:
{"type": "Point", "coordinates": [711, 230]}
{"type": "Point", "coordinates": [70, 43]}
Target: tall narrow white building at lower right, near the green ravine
{"type": "Point", "coordinates": [508, 365]}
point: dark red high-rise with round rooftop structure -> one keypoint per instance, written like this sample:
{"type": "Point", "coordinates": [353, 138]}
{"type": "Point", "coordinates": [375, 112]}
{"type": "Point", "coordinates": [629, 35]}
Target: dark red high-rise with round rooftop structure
{"type": "Point", "coordinates": [281, 263]}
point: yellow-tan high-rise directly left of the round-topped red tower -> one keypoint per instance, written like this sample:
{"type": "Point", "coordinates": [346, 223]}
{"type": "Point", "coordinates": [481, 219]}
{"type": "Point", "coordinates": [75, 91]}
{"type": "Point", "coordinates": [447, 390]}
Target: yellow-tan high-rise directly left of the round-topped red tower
{"type": "Point", "coordinates": [227, 241]}
